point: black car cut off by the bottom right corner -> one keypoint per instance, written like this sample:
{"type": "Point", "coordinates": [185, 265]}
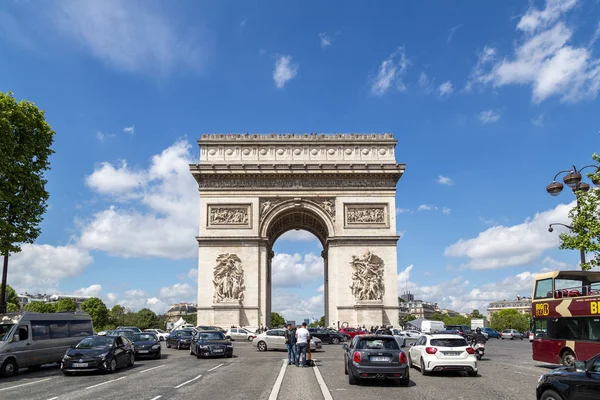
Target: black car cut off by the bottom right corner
{"type": "Point", "coordinates": [579, 382]}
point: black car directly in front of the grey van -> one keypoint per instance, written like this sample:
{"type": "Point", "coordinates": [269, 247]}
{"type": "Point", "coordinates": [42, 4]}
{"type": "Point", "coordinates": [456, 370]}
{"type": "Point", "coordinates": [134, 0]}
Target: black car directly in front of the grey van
{"type": "Point", "coordinates": [93, 353]}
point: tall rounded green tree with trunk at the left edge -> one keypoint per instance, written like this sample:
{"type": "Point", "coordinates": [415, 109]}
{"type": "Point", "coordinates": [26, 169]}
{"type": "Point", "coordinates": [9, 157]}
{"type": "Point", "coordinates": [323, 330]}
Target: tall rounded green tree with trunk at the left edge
{"type": "Point", "coordinates": [26, 140]}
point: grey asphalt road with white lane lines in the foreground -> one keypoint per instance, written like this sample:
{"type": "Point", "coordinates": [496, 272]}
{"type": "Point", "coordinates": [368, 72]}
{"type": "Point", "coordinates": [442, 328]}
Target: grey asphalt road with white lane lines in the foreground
{"type": "Point", "coordinates": [507, 372]}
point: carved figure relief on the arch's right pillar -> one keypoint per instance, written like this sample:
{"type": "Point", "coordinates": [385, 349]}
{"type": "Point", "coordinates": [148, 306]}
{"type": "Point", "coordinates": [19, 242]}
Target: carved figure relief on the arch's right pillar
{"type": "Point", "coordinates": [367, 277]}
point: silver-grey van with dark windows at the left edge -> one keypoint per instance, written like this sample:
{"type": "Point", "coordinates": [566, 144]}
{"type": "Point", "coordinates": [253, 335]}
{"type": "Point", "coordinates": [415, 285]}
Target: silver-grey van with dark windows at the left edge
{"type": "Point", "coordinates": [32, 339]}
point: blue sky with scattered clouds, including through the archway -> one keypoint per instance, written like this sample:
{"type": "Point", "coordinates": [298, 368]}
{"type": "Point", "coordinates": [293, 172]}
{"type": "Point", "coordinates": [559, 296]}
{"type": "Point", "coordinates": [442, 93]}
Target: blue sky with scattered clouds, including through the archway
{"type": "Point", "coordinates": [487, 101]}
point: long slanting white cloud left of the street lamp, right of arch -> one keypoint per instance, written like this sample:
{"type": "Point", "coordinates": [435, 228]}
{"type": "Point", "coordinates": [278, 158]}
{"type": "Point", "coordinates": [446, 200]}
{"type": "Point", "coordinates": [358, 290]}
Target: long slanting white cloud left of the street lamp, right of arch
{"type": "Point", "coordinates": [500, 246]}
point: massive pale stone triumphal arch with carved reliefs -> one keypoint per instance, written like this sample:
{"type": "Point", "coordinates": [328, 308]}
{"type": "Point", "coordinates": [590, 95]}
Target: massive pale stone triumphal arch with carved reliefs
{"type": "Point", "coordinates": [253, 188]}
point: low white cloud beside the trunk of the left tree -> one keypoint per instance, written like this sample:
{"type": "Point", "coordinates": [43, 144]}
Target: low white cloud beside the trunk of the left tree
{"type": "Point", "coordinates": [40, 267]}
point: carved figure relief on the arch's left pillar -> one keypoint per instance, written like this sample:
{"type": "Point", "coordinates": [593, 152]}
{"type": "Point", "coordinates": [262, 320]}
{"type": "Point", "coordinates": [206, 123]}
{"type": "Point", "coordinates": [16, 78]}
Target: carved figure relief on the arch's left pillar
{"type": "Point", "coordinates": [228, 279]}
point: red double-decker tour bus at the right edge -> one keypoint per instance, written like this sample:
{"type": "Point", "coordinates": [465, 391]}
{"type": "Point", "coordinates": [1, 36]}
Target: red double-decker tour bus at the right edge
{"type": "Point", "coordinates": [566, 316]}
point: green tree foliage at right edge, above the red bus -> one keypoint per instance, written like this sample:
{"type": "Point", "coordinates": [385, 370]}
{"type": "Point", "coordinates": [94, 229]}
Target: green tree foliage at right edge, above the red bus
{"type": "Point", "coordinates": [585, 223]}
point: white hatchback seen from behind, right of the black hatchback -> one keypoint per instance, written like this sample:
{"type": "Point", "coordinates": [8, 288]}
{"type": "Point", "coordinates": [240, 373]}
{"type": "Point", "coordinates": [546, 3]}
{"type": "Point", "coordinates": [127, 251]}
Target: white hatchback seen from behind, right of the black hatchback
{"type": "Point", "coordinates": [442, 352]}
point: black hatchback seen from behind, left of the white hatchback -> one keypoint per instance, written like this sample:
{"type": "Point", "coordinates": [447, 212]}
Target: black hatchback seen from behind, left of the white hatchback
{"type": "Point", "coordinates": [375, 357]}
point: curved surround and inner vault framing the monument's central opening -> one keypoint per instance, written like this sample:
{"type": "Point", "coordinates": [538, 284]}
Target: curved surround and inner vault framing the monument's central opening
{"type": "Point", "coordinates": [296, 214]}
